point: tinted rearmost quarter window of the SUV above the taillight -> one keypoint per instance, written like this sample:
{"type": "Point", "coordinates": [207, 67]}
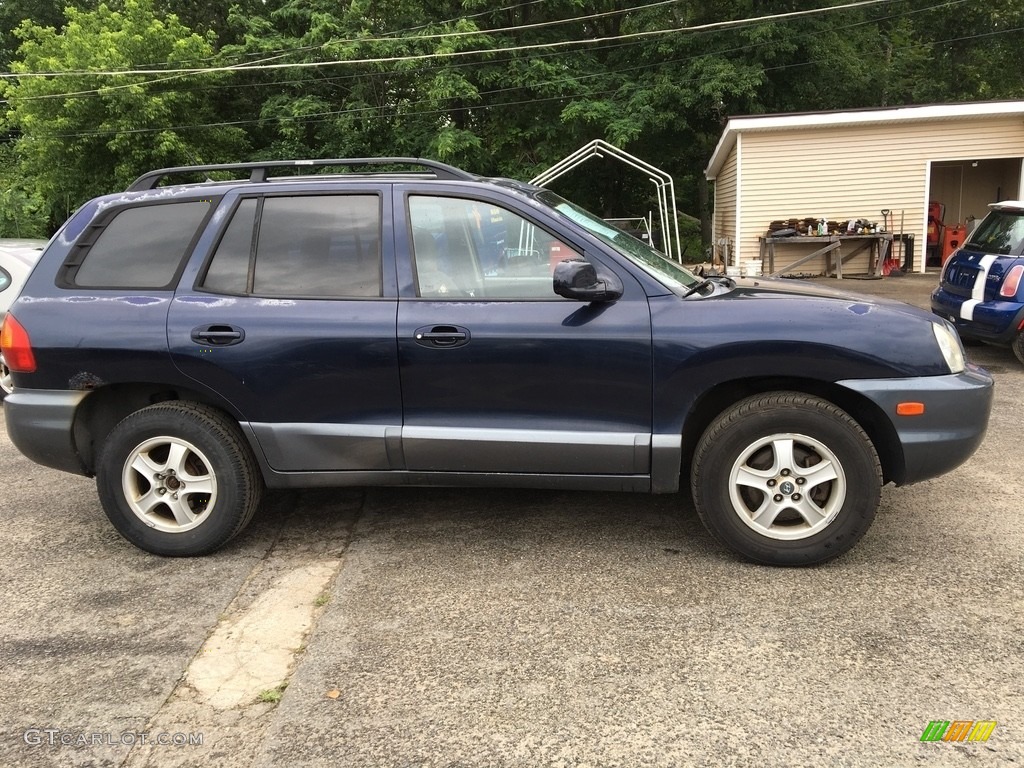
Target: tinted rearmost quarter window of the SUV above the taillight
{"type": "Point", "coordinates": [142, 247]}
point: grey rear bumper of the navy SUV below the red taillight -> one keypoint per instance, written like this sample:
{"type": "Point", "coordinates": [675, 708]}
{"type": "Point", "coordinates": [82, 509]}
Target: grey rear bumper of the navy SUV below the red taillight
{"type": "Point", "coordinates": [40, 424]}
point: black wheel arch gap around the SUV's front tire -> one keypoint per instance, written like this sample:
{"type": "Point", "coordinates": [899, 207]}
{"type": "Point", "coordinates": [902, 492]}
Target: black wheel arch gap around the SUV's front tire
{"type": "Point", "coordinates": [872, 419]}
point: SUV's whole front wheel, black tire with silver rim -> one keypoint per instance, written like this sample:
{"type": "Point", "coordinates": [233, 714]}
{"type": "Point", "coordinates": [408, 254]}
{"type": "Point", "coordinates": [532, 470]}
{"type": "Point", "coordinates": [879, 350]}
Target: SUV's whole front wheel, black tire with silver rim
{"type": "Point", "coordinates": [780, 510]}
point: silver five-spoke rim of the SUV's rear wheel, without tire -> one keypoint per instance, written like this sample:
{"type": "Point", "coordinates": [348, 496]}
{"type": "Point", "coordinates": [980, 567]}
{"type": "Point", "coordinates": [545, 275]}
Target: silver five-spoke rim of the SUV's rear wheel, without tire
{"type": "Point", "coordinates": [169, 485]}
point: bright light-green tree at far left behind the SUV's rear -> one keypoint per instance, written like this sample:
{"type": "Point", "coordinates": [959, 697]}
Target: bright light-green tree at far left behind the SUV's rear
{"type": "Point", "coordinates": [83, 135]}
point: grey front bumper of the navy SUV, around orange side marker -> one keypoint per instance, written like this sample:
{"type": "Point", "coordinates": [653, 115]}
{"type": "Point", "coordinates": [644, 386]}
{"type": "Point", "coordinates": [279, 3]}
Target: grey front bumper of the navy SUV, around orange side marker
{"type": "Point", "coordinates": [957, 410]}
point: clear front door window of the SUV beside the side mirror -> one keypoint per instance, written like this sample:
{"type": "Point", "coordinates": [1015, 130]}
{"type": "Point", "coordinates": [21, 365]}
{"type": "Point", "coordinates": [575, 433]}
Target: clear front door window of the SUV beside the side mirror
{"type": "Point", "coordinates": [473, 249]}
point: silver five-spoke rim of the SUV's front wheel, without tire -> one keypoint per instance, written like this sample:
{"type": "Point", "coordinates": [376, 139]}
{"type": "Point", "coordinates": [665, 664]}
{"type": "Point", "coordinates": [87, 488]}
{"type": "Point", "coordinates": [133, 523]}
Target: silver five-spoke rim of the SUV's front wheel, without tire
{"type": "Point", "coordinates": [788, 487]}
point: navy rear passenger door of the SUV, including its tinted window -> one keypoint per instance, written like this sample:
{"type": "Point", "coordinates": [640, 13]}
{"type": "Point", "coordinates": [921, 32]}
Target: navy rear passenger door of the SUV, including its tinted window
{"type": "Point", "coordinates": [291, 320]}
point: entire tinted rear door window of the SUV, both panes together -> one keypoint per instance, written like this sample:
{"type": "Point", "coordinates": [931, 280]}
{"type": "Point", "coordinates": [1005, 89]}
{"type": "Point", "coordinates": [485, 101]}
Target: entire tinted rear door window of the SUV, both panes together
{"type": "Point", "coordinates": [305, 246]}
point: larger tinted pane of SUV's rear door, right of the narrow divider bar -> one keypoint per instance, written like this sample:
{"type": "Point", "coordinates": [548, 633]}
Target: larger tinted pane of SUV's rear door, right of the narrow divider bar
{"type": "Point", "coordinates": [319, 246]}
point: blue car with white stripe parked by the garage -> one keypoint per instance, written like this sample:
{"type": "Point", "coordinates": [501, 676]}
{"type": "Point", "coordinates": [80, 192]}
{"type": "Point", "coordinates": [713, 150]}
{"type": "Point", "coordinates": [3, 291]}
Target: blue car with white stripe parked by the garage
{"type": "Point", "coordinates": [982, 291]}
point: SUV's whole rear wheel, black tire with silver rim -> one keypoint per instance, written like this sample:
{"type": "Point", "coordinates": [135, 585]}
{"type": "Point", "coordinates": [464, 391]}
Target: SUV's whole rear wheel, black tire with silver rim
{"type": "Point", "coordinates": [140, 472]}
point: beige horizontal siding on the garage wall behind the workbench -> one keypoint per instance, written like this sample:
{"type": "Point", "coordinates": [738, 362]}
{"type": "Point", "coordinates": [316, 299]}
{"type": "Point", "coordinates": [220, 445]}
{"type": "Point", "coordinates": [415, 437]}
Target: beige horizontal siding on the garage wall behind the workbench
{"type": "Point", "coordinates": [856, 172]}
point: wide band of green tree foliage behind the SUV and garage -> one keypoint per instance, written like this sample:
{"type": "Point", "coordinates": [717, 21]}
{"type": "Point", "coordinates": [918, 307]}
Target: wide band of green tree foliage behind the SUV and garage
{"type": "Point", "coordinates": [504, 89]}
